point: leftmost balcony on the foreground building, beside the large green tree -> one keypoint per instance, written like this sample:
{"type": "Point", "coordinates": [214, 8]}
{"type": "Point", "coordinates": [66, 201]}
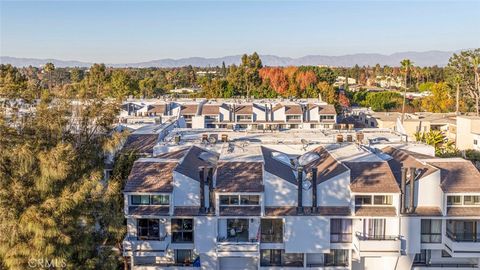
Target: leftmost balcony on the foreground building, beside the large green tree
{"type": "Point", "coordinates": [132, 246]}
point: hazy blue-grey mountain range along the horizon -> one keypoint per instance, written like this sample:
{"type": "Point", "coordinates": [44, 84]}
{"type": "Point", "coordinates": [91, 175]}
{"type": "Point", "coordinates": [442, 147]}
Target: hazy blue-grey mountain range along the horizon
{"type": "Point", "coordinates": [428, 58]}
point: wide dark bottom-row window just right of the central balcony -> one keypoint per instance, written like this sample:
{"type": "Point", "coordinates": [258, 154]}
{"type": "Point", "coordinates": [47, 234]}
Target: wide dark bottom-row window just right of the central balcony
{"type": "Point", "coordinates": [278, 257]}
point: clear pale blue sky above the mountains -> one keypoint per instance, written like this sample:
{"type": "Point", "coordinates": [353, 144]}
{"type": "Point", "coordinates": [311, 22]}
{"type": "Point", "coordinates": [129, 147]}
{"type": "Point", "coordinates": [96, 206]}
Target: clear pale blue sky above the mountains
{"type": "Point", "coordinates": [133, 31]}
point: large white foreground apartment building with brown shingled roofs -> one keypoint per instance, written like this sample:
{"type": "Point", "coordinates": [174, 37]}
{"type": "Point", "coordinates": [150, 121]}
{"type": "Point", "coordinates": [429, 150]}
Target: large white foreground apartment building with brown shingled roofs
{"type": "Point", "coordinates": [250, 202]}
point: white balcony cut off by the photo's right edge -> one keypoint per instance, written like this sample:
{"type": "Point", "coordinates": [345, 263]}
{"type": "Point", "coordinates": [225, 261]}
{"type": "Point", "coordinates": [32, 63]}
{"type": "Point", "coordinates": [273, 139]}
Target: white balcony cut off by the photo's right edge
{"type": "Point", "coordinates": [462, 244]}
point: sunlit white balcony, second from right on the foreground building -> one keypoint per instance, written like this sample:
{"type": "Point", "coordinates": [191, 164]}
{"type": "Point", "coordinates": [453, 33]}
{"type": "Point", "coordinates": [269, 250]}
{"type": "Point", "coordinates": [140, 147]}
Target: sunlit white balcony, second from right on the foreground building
{"type": "Point", "coordinates": [373, 245]}
